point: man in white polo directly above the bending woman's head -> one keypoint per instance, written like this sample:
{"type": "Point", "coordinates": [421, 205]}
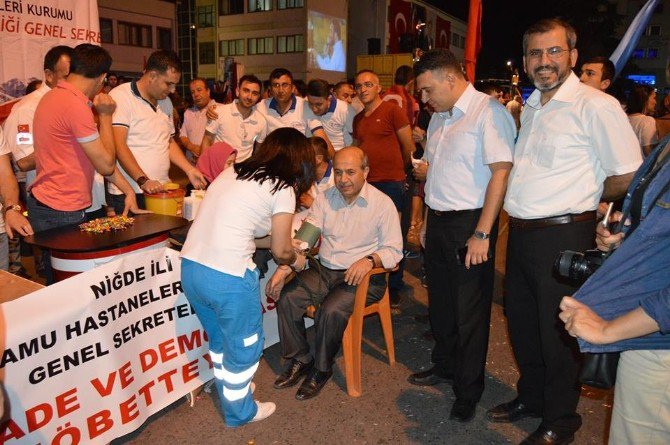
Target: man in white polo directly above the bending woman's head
{"type": "Point", "coordinates": [285, 109]}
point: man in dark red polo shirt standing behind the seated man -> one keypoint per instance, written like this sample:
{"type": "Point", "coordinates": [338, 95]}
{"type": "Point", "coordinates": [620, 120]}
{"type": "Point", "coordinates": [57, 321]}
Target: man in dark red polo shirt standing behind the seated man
{"type": "Point", "coordinates": [382, 130]}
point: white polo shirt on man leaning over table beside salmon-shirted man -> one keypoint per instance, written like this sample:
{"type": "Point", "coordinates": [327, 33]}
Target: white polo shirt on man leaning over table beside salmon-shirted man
{"type": "Point", "coordinates": [149, 132]}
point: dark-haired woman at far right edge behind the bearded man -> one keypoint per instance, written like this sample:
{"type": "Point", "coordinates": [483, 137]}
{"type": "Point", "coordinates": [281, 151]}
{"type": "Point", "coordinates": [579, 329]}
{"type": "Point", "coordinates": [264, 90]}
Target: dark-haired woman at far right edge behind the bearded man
{"type": "Point", "coordinates": [641, 106]}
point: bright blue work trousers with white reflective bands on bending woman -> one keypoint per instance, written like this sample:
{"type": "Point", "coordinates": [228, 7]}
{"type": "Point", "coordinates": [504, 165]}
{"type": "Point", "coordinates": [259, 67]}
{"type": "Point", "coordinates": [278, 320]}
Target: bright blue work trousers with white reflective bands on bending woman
{"type": "Point", "coordinates": [229, 309]}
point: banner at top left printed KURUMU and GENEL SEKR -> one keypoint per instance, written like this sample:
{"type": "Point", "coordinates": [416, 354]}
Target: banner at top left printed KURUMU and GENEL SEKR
{"type": "Point", "coordinates": [29, 28]}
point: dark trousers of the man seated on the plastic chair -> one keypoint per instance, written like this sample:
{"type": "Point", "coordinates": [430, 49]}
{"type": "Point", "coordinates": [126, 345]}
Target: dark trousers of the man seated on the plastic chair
{"type": "Point", "coordinates": [335, 298]}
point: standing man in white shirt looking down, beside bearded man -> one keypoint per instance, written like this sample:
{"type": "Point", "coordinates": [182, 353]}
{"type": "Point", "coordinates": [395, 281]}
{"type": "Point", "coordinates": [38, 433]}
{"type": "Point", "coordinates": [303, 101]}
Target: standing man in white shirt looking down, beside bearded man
{"type": "Point", "coordinates": [468, 156]}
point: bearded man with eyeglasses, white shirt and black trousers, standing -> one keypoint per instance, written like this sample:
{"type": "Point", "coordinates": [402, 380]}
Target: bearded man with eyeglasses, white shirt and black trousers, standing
{"type": "Point", "coordinates": [575, 148]}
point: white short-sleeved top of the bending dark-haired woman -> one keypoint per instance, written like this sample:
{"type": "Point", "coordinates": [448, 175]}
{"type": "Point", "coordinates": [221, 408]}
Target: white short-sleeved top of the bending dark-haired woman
{"type": "Point", "coordinates": [231, 215]}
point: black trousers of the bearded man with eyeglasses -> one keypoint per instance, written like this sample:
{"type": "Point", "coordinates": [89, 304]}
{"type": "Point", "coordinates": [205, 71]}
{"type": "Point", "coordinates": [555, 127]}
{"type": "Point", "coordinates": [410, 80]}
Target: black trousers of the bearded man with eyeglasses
{"type": "Point", "coordinates": [547, 356]}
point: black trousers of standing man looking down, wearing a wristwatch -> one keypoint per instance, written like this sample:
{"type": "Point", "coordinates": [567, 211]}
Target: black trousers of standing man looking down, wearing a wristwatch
{"type": "Point", "coordinates": [459, 301]}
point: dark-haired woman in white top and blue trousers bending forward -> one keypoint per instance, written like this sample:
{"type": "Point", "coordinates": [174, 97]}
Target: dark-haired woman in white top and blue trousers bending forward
{"type": "Point", "coordinates": [220, 279]}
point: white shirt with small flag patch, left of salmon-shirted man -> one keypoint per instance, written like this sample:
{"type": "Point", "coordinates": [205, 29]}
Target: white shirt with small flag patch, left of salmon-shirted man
{"type": "Point", "coordinates": [22, 115]}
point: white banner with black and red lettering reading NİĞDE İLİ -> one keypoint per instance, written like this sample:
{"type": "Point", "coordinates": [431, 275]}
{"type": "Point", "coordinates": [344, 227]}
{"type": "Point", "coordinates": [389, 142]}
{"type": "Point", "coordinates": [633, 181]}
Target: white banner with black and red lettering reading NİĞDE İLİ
{"type": "Point", "coordinates": [90, 358]}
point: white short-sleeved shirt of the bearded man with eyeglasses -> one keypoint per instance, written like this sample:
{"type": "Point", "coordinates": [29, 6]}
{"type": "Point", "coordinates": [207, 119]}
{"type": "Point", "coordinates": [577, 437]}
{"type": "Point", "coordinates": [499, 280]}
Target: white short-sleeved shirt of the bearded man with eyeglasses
{"type": "Point", "coordinates": [565, 151]}
